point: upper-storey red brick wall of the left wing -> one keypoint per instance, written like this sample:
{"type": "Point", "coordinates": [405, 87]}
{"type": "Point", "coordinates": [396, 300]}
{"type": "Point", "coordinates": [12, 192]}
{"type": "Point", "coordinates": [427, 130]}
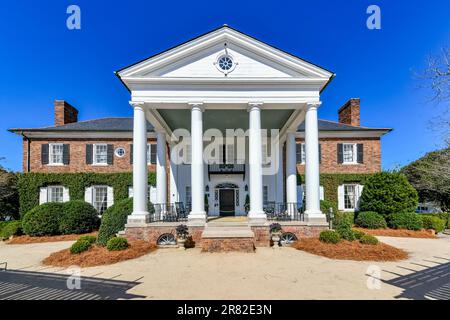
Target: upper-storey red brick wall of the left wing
{"type": "Point", "coordinates": [78, 156]}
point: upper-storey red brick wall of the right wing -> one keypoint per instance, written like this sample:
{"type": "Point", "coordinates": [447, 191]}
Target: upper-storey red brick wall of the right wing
{"type": "Point", "coordinates": [329, 163]}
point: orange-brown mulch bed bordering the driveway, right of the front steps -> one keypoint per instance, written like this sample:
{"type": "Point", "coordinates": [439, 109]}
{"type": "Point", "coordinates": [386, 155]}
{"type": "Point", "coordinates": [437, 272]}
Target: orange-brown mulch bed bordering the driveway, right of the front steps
{"type": "Point", "coordinates": [354, 250]}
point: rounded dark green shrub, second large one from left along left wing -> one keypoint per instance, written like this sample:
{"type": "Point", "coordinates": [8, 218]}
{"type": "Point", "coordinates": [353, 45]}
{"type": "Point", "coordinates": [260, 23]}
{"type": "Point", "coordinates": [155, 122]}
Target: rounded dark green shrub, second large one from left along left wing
{"type": "Point", "coordinates": [78, 217]}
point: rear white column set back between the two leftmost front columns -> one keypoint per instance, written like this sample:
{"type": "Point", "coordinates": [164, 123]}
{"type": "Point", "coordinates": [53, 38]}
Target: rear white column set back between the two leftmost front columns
{"type": "Point", "coordinates": [161, 175]}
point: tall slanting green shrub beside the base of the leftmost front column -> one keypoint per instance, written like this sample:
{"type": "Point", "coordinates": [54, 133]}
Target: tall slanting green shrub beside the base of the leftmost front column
{"type": "Point", "coordinates": [114, 220]}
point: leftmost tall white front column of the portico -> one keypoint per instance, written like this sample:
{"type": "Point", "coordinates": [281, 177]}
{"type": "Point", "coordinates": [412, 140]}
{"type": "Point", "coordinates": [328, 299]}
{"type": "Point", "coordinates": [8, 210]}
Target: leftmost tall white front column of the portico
{"type": "Point", "coordinates": [140, 169]}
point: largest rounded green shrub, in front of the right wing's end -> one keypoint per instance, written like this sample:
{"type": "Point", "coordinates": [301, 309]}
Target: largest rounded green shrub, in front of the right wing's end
{"type": "Point", "coordinates": [388, 193]}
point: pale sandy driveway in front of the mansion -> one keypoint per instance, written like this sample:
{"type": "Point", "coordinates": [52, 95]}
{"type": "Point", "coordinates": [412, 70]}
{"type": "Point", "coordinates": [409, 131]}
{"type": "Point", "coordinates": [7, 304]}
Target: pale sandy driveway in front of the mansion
{"type": "Point", "coordinates": [267, 274]}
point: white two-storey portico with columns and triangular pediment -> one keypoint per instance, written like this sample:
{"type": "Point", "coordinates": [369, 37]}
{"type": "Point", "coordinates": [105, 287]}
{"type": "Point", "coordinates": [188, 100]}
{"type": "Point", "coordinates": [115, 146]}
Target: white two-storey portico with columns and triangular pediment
{"type": "Point", "coordinates": [225, 80]}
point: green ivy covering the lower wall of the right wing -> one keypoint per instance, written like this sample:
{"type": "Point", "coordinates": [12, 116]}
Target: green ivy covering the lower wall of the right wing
{"type": "Point", "coordinates": [331, 181]}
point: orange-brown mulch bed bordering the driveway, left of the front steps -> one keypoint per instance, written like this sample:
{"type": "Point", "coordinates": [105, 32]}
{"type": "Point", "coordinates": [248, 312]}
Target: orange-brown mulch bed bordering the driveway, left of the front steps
{"type": "Point", "coordinates": [97, 255]}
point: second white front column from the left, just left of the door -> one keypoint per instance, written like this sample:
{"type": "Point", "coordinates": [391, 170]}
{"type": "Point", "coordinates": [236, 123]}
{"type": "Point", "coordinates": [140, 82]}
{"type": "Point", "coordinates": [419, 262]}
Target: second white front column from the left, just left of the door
{"type": "Point", "coordinates": [197, 174]}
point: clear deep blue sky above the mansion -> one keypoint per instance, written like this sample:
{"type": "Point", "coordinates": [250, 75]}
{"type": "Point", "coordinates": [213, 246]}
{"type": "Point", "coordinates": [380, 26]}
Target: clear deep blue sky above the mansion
{"type": "Point", "coordinates": [42, 60]}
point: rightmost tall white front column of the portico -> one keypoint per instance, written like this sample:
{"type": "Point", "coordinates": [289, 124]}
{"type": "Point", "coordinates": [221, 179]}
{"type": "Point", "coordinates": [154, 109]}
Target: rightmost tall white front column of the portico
{"type": "Point", "coordinates": [312, 174]}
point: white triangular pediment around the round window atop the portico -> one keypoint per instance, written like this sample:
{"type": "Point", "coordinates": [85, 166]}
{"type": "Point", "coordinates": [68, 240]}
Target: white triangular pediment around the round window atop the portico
{"type": "Point", "coordinates": [200, 57]}
